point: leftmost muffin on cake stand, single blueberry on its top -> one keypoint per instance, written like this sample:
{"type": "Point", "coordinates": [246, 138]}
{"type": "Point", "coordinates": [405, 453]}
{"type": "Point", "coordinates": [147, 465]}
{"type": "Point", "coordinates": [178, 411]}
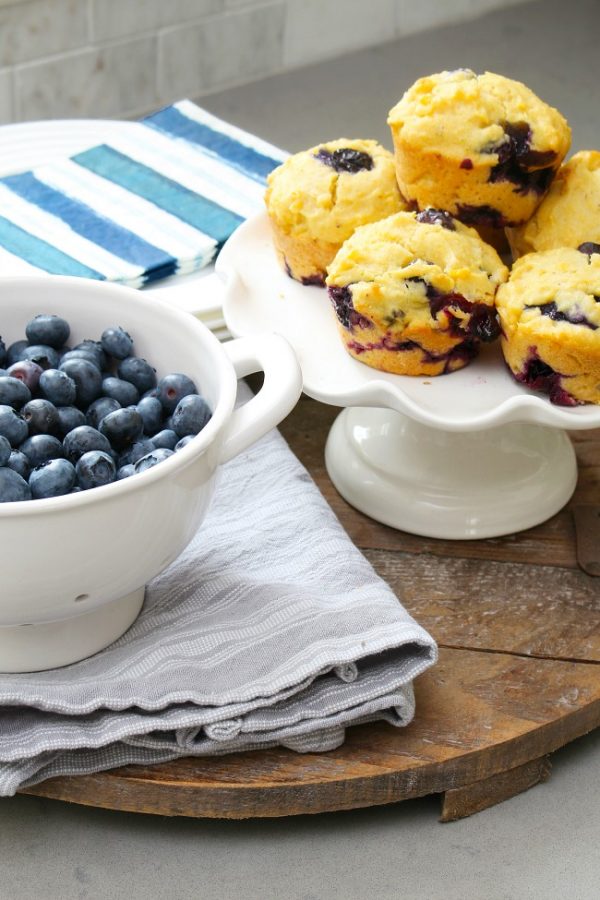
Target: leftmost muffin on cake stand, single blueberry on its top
{"type": "Point", "coordinates": [318, 198]}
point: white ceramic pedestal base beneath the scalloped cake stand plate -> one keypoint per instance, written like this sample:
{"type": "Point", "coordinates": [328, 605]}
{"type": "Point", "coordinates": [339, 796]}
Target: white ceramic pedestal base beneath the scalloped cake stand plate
{"type": "Point", "coordinates": [452, 485]}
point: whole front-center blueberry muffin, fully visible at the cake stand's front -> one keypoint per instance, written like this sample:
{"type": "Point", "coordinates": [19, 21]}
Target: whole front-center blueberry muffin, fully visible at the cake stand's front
{"type": "Point", "coordinates": [414, 293]}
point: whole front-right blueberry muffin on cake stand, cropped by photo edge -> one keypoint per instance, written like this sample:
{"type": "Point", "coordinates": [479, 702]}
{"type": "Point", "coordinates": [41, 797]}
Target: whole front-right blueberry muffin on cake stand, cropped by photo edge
{"type": "Point", "coordinates": [550, 316]}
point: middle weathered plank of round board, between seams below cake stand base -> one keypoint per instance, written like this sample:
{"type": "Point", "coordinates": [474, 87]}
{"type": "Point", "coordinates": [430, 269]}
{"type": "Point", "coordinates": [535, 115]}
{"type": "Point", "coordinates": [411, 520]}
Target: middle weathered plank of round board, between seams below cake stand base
{"type": "Point", "coordinates": [489, 605]}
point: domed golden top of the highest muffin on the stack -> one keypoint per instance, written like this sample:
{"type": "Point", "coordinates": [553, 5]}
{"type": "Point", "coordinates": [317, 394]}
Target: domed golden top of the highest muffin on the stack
{"type": "Point", "coordinates": [474, 117]}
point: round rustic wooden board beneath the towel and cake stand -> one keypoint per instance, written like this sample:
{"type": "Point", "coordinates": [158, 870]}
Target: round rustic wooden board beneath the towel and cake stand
{"type": "Point", "coordinates": [518, 624]}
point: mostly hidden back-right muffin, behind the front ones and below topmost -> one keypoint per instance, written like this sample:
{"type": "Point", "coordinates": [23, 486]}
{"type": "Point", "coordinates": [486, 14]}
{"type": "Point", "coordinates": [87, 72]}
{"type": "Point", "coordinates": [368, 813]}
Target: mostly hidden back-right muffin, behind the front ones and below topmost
{"type": "Point", "coordinates": [569, 215]}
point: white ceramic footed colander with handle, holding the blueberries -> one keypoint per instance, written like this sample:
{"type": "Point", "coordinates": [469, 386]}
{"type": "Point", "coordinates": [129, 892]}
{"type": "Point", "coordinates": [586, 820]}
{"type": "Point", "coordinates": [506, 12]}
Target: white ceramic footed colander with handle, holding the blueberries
{"type": "Point", "coordinates": [73, 568]}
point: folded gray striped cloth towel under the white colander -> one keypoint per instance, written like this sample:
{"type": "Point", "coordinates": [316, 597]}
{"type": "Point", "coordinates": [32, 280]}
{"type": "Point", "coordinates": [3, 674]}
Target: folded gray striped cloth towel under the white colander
{"type": "Point", "coordinates": [270, 628]}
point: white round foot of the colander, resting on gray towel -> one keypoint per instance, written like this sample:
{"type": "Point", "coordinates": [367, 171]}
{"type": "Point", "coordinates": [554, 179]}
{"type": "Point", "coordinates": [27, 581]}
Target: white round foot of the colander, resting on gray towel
{"type": "Point", "coordinates": [48, 645]}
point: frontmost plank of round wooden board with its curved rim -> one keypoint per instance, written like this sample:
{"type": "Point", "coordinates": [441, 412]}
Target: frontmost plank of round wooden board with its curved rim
{"type": "Point", "coordinates": [479, 714]}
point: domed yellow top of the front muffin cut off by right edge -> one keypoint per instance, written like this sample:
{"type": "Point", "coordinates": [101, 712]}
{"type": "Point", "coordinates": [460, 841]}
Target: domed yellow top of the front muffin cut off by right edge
{"type": "Point", "coordinates": [553, 292]}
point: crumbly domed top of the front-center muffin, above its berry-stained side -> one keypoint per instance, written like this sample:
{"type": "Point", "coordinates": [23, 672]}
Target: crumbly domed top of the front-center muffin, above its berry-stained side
{"type": "Point", "coordinates": [407, 269]}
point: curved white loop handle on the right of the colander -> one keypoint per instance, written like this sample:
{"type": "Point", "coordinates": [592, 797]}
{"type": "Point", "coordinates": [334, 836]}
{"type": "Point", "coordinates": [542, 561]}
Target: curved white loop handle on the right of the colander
{"type": "Point", "coordinates": [271, 354]}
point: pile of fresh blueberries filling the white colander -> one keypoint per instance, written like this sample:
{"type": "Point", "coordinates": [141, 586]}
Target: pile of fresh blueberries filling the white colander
{"type": "Point", "coordinates": [78, 418]}
